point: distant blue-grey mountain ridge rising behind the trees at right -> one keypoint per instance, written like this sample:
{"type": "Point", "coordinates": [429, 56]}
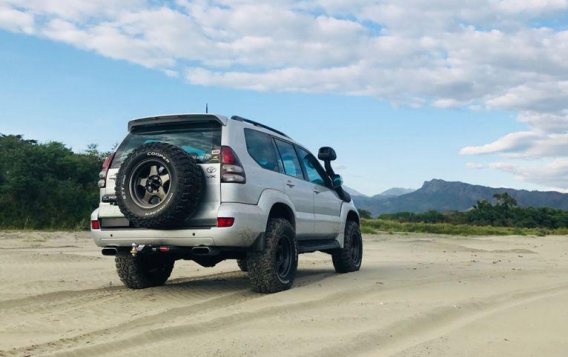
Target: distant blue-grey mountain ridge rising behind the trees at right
{"type": "Point", "coordinates": [441, 195]}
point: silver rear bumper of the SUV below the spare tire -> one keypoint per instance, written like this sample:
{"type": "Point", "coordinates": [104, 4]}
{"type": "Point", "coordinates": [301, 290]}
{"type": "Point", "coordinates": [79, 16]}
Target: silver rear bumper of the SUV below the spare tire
{"type": "Point", "coordinates": [250, 223]}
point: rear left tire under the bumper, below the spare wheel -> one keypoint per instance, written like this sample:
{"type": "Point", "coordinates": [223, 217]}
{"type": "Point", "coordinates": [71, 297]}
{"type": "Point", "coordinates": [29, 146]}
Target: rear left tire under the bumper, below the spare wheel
{"type": "Point", "coordinates": [142, 272]}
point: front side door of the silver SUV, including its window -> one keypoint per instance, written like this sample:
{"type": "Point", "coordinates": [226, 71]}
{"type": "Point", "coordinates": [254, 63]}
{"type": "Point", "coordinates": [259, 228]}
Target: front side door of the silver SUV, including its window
{"type": "Point", "coordinates": [327, 205]}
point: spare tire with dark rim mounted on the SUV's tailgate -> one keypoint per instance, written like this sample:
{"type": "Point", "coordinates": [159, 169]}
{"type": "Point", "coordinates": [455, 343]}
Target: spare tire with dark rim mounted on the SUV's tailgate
{"type": "Point", "coordinates": [159, 186]}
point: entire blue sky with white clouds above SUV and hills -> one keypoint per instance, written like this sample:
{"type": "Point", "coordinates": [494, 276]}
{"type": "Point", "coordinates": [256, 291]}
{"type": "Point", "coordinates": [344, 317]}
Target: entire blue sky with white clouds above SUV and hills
{"type": "Point", "coordinates": [401, 105]}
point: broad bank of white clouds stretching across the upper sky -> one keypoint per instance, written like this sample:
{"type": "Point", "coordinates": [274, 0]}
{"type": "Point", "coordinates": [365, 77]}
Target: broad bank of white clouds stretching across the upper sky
{"type": "Point", "coordinates": [483, 54]}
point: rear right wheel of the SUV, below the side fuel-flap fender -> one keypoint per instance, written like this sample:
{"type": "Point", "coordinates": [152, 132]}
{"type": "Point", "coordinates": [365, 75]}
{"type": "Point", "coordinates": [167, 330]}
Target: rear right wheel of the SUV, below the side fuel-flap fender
{"type": "Point", "coordinates": [274, 268]}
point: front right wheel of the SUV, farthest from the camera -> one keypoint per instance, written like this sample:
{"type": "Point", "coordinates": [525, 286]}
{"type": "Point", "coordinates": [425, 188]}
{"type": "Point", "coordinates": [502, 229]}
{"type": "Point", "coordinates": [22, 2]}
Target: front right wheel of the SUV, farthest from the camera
{"type": "Point", "coordinates": [349, 258]}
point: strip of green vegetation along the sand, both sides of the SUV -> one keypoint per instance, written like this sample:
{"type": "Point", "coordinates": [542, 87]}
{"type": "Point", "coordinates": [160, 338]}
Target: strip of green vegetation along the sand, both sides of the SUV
{"type": "Point", "coordinates": [48, 186]}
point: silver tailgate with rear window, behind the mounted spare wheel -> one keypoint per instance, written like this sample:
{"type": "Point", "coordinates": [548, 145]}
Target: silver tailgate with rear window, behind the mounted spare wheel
{"type": "Point", "coordinates": [201, 140]}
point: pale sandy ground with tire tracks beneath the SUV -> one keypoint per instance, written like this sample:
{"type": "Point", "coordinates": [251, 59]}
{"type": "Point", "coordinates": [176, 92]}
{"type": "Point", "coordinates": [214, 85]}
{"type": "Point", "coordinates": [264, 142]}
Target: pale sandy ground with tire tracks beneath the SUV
{"type": "Point", "coordinates": [416, 295]}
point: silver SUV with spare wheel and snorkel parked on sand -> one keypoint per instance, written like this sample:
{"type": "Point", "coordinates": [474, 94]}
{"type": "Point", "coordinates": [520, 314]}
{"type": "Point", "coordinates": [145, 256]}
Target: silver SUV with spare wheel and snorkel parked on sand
{"type": "Point", "coordinates": [208, 188]}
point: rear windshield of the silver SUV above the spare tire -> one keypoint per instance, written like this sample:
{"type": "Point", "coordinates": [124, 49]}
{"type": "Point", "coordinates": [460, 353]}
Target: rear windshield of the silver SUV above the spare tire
{"type": "Point", "coordinates": [202, 141]}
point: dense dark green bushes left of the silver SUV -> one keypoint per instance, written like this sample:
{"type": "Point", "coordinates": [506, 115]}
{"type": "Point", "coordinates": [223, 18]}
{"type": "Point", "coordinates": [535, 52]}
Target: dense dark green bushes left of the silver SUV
{"type": "Point", "coordinates": [46, 186]}
